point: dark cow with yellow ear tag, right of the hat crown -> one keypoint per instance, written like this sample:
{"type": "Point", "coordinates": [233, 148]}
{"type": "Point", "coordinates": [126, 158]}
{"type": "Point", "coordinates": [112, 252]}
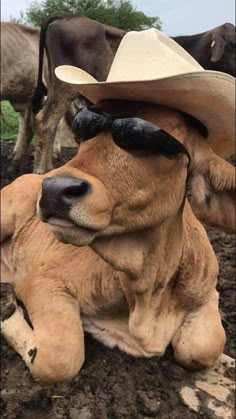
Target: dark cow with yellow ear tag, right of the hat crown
{"type": "Point", "coordinates": [214, 49]}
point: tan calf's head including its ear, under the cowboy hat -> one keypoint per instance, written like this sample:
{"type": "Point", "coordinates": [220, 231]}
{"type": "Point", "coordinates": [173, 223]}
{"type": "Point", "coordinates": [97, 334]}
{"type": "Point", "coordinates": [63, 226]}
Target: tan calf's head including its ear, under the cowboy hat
{"type": "Point", "coordinates": [111, 189]}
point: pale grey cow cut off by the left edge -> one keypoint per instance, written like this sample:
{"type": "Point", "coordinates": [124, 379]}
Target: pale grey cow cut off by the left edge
{"type": "Point", "coordinates": [19, 70]}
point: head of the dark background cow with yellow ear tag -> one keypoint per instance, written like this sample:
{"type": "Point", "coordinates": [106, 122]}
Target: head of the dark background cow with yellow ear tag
{"type": "Point", "coordinates": [223, 47]}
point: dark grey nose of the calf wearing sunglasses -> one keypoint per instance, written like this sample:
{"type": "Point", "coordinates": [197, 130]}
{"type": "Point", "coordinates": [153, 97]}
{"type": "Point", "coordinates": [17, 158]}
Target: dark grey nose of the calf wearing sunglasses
{"type": "Point", "coordinates": [59, 193]}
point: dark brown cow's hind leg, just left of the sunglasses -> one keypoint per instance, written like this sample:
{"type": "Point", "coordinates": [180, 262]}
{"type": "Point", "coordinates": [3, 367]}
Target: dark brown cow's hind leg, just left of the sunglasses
{"type": "Point", "coordinates": [46, 122]}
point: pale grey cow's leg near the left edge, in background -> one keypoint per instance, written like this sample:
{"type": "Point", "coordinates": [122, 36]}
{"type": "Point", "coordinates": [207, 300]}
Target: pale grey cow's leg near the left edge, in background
{"type": "Point", "coordinates": [24, 136]}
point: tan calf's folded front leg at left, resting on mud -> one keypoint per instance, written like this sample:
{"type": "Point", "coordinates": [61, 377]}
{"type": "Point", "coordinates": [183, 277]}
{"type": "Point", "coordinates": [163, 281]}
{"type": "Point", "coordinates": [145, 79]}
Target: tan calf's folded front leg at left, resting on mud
{"type": "Point", "coordinates": [57, 342]}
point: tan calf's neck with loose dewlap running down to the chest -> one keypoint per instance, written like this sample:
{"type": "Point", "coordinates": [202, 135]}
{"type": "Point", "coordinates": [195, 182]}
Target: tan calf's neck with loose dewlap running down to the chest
{"type": "Point", "coordinates": [148, 260]}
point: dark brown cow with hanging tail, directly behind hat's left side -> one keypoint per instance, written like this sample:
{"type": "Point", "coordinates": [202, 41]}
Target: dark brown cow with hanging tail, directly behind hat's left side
{"type": "Point", "coordinates": [71, 40]}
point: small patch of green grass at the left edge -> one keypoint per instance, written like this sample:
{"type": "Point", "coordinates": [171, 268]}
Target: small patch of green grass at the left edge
{"type": "Point", "coordinates": [9, 122]}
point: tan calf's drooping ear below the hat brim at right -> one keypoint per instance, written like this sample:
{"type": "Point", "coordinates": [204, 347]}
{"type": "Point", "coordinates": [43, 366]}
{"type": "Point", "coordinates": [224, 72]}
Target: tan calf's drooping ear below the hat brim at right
{"type": "Point", "coordinates": [212, 192]}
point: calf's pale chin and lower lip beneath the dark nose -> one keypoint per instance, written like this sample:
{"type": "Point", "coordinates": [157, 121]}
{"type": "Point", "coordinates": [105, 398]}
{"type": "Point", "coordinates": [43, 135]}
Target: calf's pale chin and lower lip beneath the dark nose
{"type": "Point", "coordinates": [70, 233]}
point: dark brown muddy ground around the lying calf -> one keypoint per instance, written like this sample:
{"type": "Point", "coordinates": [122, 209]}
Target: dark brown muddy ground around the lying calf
{"type": "Point", "coordinates": [111, 384]}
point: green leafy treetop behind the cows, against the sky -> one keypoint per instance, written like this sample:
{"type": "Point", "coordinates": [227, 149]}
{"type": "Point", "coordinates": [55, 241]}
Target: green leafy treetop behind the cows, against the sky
{"type": "Point", "coordinates": [119, 13]}
